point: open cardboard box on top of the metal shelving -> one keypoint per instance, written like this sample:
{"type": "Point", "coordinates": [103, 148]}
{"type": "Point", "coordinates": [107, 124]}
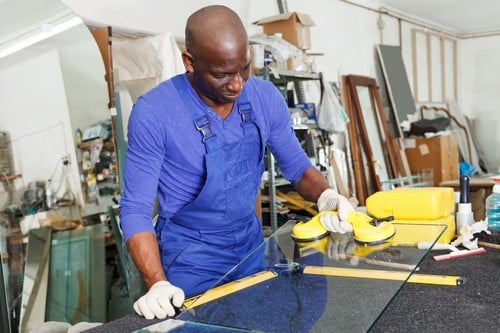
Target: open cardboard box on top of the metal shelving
{"type": "Point", "coordinates": [293, 26]}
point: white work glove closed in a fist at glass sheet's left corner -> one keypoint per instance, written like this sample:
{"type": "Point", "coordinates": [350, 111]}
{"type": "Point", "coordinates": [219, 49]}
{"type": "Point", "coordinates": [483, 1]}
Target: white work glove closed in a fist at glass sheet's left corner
{"type": "Point", "coordinates": [159, 301]}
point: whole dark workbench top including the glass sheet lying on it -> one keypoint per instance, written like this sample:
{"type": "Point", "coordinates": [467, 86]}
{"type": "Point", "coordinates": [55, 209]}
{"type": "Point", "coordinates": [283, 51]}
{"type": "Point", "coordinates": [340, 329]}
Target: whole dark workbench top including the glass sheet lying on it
{"type": "Point", "coordinates": [287, 298]}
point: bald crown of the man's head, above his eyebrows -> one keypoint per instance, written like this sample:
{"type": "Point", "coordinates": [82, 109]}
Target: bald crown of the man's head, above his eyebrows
{"type": "Point", "coordinates": [214, 27]}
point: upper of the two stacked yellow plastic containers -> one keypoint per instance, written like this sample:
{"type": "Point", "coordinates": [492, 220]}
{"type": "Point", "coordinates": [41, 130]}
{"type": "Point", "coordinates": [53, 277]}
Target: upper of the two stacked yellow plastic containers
{"type": "Point", "coordinates": [416, 203]}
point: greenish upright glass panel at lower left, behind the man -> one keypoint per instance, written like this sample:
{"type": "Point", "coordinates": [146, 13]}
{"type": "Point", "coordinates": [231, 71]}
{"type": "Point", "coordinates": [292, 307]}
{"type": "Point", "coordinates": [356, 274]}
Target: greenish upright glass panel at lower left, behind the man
{"type": "Point", "coordinates": [77, 283]}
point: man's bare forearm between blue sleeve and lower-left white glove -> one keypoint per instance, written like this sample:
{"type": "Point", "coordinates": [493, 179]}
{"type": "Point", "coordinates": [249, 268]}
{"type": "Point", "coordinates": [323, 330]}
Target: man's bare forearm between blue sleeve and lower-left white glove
{"type": "Point", "coordinates": [143, 248]}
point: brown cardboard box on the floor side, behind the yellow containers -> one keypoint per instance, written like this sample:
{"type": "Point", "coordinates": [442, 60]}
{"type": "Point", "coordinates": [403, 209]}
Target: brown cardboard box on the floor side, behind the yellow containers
{"type": "Point", "coordinates": [439, 153]}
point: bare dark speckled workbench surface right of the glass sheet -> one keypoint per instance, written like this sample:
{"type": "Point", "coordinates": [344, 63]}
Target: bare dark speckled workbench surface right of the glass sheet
{"type": "Point", "coordinates": [469, 308]}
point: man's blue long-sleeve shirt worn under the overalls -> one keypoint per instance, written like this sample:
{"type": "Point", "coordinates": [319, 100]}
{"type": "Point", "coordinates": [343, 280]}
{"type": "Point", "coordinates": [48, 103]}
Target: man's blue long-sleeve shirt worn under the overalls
{"type": "Point", "coordinates": [165, 153]}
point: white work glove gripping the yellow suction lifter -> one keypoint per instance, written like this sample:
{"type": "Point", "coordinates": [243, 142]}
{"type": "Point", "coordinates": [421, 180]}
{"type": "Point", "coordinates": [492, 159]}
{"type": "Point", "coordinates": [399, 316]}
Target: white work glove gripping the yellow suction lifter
{"type": "Point", "coordinates": [330, 200]}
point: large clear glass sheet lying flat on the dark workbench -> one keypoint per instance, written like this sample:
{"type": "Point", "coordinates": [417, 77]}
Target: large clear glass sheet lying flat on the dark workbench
{"type": "Point", "coordinates": [309, 287]}
